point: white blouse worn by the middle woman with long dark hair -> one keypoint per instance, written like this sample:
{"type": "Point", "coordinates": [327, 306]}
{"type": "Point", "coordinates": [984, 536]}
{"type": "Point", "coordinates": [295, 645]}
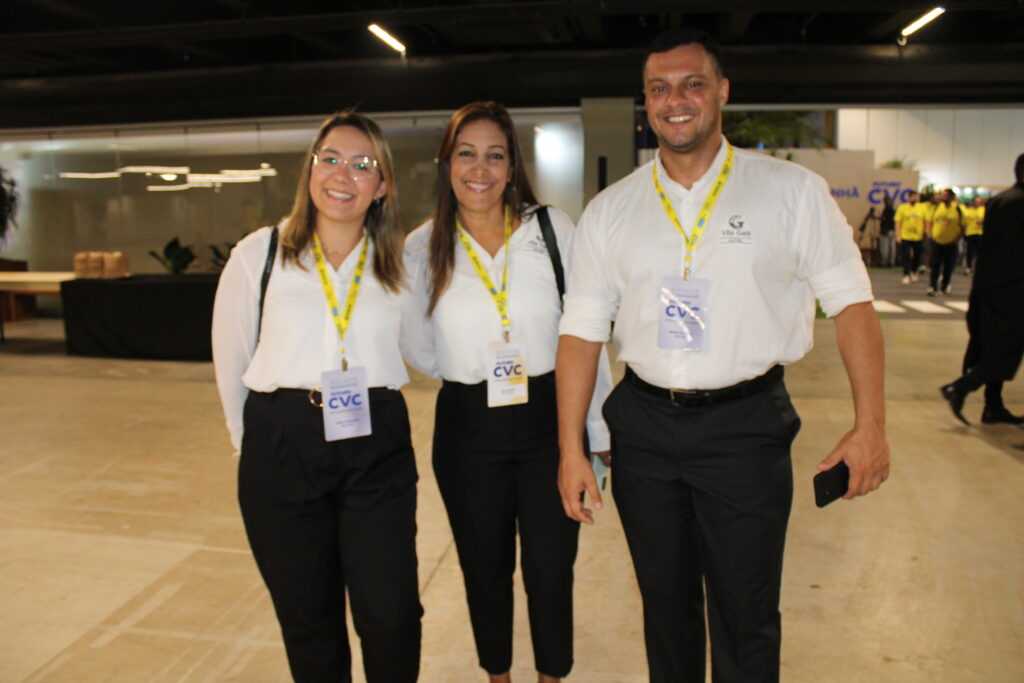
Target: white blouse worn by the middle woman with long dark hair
{"type": "Point", "coordinates": [453, 344]}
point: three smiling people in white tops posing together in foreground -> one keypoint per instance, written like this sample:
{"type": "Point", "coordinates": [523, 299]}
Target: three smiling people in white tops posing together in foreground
{"type": "Point", "coordinates": [707, 261]}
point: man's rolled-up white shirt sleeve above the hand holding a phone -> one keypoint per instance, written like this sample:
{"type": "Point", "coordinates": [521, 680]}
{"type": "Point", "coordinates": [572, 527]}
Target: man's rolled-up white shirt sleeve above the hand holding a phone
{"type": "Point", "coordinates": [830, 261]}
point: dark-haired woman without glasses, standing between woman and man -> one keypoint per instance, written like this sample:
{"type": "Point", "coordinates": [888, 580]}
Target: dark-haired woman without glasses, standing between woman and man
{"type": "Point", "coordinates": [485, 277]}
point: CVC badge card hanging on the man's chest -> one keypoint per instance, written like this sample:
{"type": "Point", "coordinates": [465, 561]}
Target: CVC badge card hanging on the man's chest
{"type": "Point", "coordinates": [684, 314]}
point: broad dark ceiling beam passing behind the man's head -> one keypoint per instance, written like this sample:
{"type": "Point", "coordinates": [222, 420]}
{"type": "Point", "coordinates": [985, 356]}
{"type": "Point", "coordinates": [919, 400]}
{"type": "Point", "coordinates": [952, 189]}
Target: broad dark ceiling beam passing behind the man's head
{"type": "Point", "coordinates": [762, 75]}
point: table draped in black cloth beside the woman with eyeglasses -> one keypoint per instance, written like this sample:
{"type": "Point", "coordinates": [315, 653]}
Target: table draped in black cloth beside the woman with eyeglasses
{"type": "Point", "coordinates": [141, 317]}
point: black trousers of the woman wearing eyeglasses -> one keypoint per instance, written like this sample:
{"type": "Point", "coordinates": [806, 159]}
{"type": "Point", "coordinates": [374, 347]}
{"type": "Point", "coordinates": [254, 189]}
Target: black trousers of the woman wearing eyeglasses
{"type": "Point", "coordinates": [325, 517]}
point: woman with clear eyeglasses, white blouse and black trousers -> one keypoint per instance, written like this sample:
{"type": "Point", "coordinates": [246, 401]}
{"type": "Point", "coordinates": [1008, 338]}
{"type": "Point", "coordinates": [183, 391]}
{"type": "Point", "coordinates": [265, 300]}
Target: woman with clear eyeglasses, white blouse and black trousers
{"type": "Point", "coordinates": [307, 329]}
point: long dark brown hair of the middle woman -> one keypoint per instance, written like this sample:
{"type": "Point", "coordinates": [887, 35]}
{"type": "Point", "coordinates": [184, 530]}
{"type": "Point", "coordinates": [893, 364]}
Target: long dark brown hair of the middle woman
{"type": "Point", "coordinates": [519, 195]}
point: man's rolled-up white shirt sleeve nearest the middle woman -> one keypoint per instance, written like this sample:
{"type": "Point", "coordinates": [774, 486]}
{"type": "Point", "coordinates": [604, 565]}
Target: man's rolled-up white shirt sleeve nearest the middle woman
{"type": "Point", "coordinates": [591, 303]}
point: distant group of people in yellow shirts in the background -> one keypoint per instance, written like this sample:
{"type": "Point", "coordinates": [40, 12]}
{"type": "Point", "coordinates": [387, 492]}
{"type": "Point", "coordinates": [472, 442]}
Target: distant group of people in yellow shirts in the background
{"type": "Point", "coordinates": [935, 237]}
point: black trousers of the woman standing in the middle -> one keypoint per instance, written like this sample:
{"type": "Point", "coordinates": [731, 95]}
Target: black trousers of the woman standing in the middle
{"type": "Point", "coordinates": [498, 469]}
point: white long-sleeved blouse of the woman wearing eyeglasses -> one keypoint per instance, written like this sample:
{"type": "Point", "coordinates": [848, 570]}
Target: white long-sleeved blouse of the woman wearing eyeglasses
{"type": "Point", "coordinates": [298, 340]}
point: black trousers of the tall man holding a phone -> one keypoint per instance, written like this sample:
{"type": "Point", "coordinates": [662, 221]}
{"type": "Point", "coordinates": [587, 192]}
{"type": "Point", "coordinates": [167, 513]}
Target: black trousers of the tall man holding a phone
{"type": "Point", "coordinates": [705, 494]}
